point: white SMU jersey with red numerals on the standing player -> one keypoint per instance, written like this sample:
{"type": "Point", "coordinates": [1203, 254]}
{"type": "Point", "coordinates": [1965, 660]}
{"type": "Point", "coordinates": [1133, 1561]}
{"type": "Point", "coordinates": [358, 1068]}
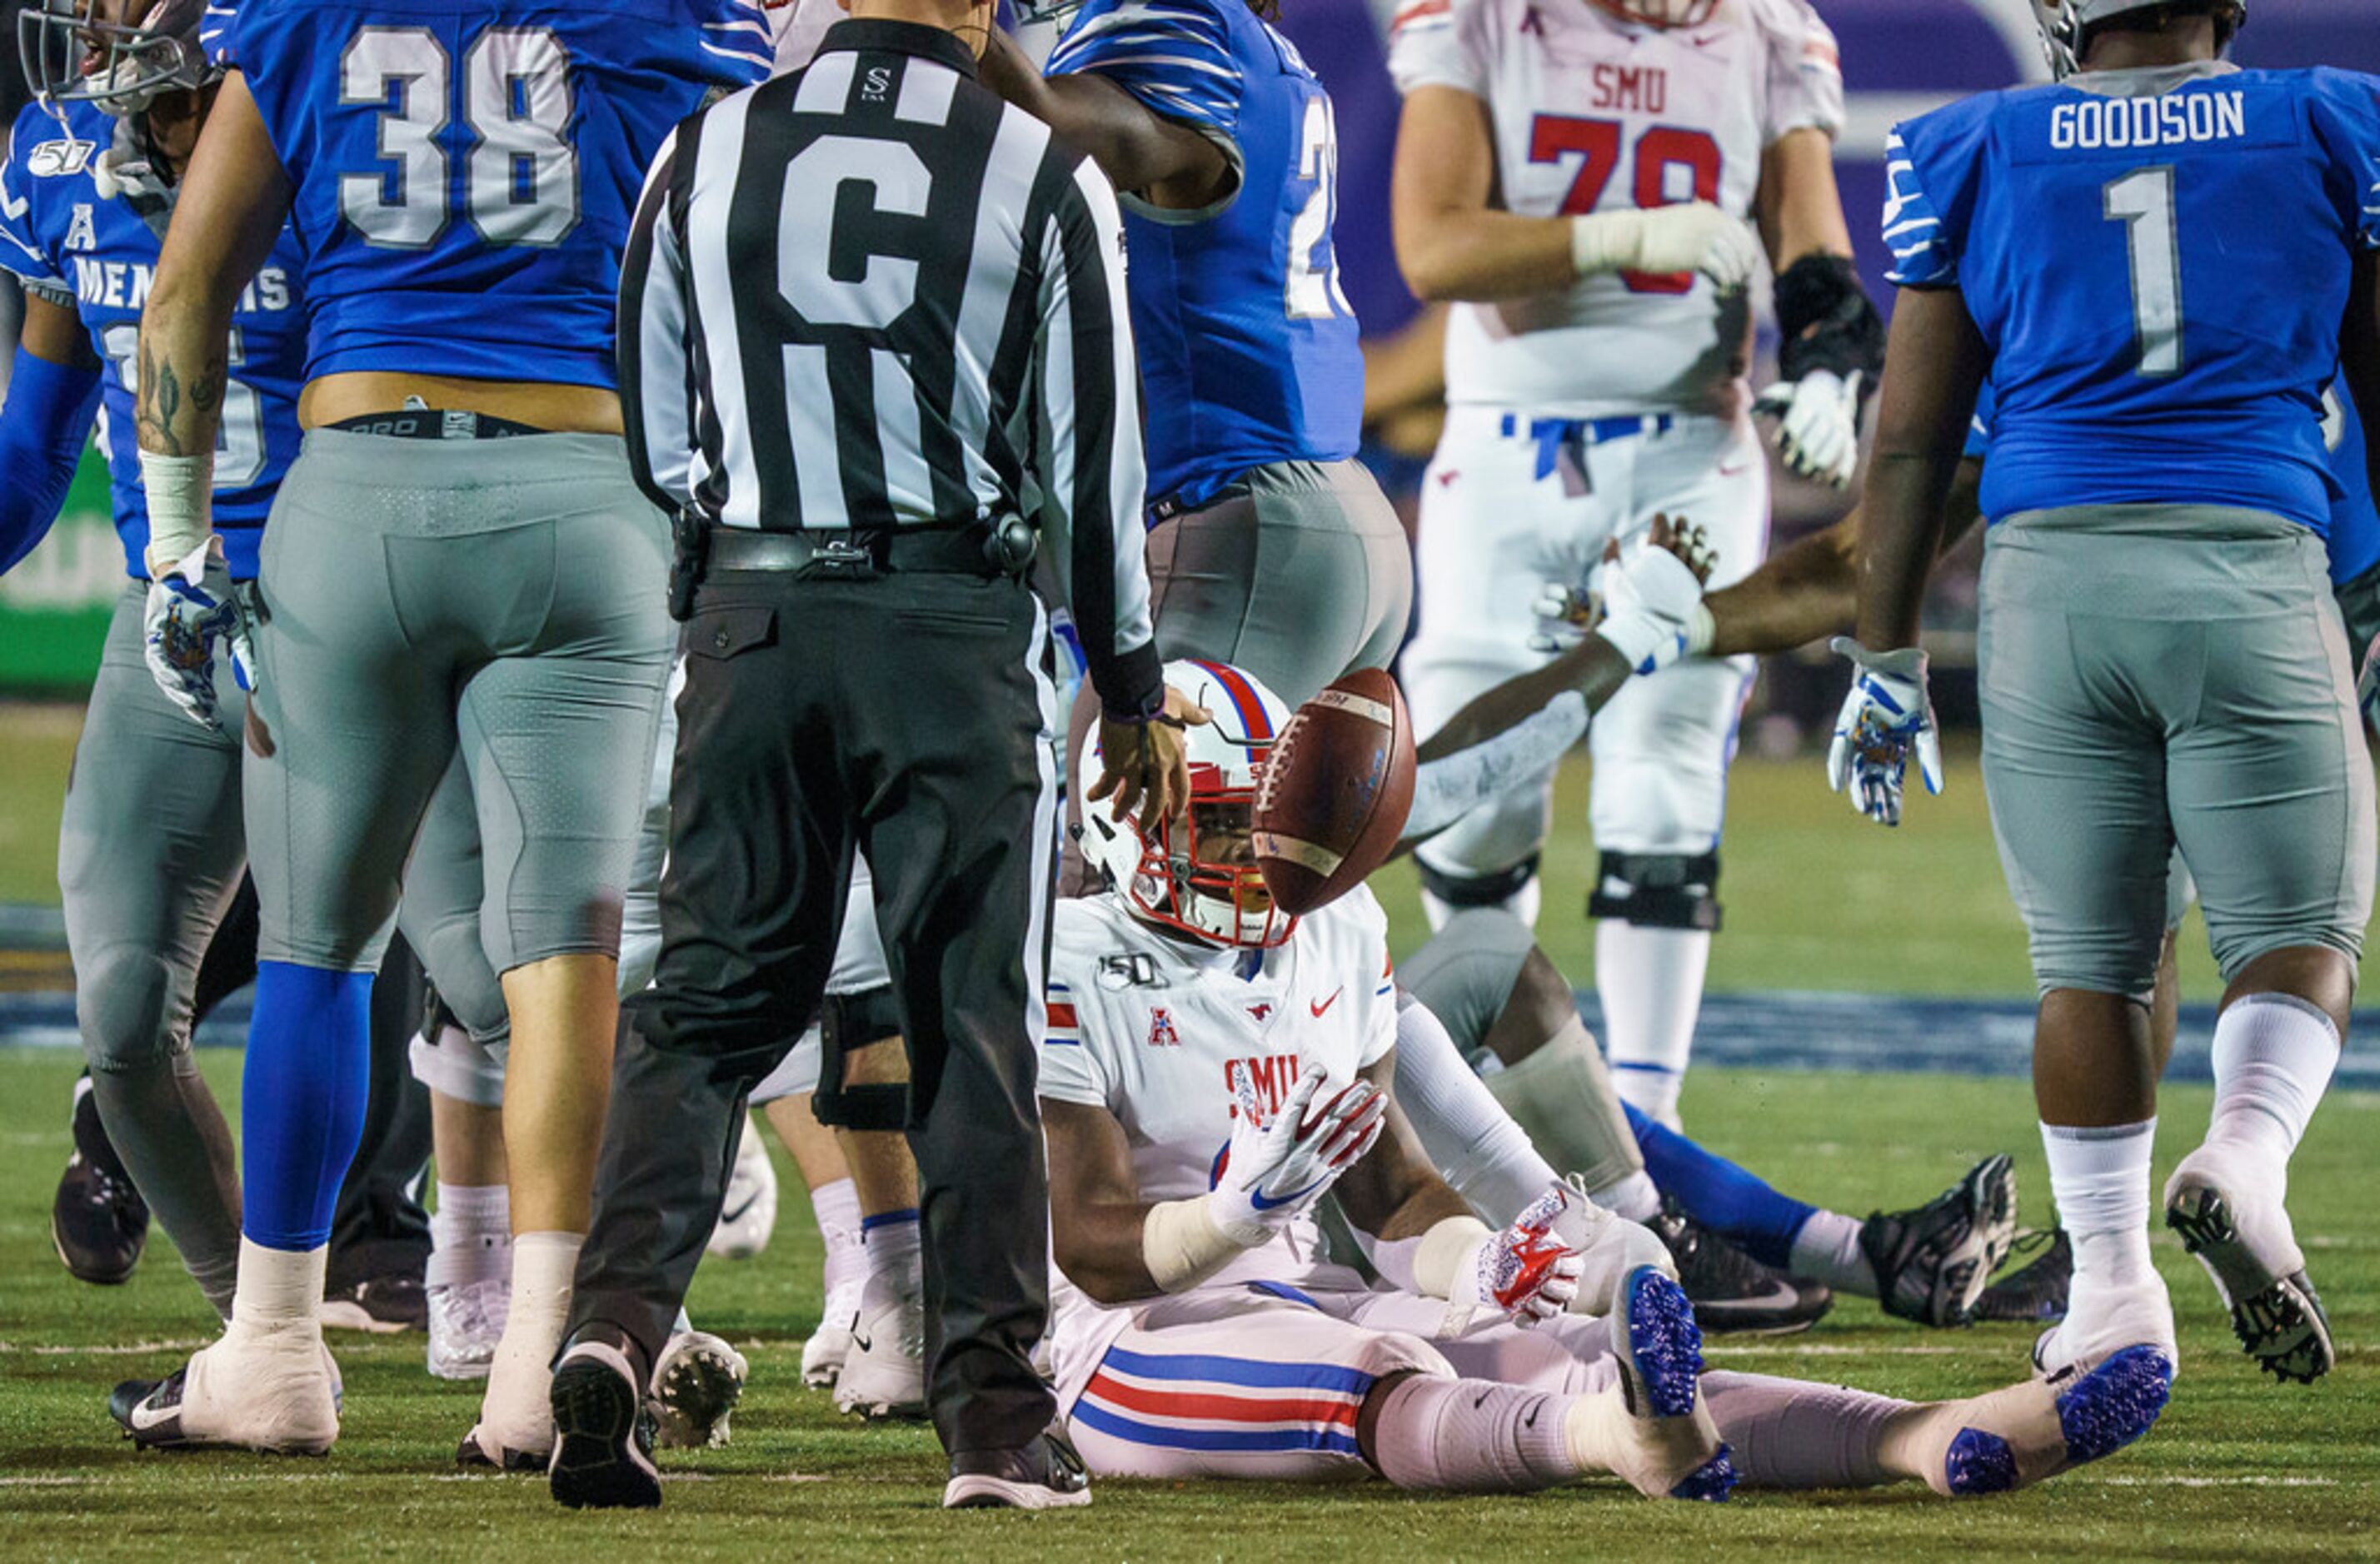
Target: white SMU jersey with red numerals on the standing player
{"type": "Point", "coordinates": [1601, 115]}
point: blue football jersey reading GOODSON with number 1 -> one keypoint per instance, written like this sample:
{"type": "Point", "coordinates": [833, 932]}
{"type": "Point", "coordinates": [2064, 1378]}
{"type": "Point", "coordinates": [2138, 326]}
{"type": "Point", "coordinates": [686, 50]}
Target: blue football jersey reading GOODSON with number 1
{"type": "Point", "coordinates": [2160, 277]}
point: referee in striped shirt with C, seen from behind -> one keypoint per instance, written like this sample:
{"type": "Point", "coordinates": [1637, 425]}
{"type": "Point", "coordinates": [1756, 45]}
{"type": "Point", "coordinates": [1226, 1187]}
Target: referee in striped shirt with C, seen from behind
{"type": "Point", "coordinates": [870, 320]}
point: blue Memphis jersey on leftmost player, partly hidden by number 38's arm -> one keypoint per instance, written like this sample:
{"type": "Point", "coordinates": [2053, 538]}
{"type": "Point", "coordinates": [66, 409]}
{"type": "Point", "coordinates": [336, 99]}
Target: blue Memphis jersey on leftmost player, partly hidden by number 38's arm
{"type": "Point", "coordinates": [68, 239]}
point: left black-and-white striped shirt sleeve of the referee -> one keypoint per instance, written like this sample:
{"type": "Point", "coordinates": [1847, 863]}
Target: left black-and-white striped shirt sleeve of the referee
{"type": "Point", "coordinates": [656, 354]}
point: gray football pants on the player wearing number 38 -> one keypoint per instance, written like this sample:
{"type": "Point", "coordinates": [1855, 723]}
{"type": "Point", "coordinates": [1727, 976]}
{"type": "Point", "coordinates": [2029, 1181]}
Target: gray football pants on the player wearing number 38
{"type": "Point", "coordinates": [484, 599]}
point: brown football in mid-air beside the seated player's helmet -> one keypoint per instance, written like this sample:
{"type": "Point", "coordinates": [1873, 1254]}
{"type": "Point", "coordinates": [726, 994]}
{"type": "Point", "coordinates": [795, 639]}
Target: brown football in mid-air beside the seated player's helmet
{"type": "Point", "coordinates": [1336, 792]}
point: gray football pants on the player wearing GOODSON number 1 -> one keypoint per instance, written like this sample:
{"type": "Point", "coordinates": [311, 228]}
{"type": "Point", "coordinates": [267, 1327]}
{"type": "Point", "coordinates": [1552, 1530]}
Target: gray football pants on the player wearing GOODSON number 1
{"type": "Point", "coordinates": [2172, 677]}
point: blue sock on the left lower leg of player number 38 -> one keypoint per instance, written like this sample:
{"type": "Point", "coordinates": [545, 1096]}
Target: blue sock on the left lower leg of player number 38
{"type": "Point", "coordinates": [303, 1101]}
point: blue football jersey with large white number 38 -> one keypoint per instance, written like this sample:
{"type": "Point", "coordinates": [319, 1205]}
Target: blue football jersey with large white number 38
{"type": "Point", "coordinates": [465, 170]}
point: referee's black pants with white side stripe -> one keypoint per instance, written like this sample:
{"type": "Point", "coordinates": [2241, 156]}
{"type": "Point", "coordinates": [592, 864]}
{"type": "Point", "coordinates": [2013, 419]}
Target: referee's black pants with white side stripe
{"type": "Point", "coordinates": [903, 718]}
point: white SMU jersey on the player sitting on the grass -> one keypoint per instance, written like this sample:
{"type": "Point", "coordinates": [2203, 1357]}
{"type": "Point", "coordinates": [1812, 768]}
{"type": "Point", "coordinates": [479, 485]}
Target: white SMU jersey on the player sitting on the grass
{"type": "Point", "coordinates": [1172, 1037]}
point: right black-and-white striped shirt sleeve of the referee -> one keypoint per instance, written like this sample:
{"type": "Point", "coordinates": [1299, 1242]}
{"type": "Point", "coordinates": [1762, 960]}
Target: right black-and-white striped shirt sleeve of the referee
{"type": "Point", "coordinates": [1091, 470]}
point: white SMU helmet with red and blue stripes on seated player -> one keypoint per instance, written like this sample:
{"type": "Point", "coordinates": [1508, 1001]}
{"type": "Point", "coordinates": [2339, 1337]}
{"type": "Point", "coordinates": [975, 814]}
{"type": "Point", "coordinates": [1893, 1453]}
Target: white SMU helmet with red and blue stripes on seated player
{"type": "Point", "coordinates": [1165, 880]}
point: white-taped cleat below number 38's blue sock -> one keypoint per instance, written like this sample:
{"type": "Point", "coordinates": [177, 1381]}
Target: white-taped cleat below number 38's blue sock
{"type": "Point", "coordinates": [270, 1391]}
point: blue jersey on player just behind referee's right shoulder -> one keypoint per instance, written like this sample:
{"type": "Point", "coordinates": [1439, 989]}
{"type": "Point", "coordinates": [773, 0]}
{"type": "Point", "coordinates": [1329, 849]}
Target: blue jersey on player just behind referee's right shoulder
{"type": "Point", "coordinates": [1248, 349]}
